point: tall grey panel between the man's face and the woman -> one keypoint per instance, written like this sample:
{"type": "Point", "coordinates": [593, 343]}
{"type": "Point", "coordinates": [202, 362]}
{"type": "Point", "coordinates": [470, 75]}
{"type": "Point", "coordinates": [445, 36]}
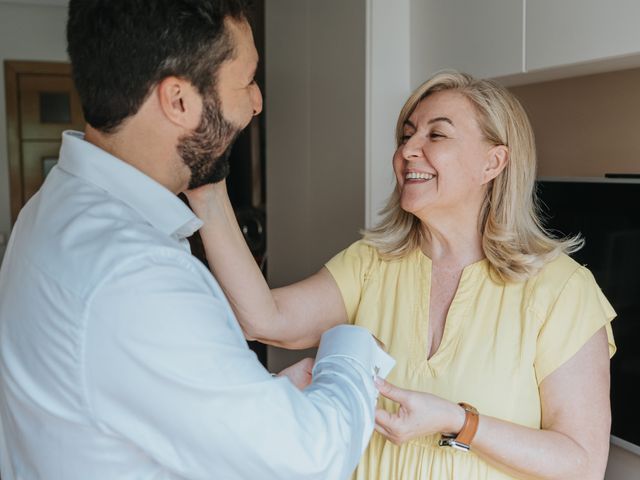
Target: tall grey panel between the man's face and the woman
{"type": "Point", "coordinates": [314, 102]}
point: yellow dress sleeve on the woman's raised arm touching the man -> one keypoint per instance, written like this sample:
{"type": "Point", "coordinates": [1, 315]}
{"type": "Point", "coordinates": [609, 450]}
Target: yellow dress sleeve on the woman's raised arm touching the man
{"type": "Point", "coordinates": [350, 269]}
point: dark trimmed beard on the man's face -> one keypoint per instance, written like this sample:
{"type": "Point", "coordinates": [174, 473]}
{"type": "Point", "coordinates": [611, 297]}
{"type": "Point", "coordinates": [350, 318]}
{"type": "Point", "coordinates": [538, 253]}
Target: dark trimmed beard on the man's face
{"type": "Point", "coordinates": [206, 151]}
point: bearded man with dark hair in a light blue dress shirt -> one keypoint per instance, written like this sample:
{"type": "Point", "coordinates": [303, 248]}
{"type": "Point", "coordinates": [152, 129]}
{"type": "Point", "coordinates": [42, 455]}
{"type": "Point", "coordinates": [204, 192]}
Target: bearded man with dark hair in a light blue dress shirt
{"type": "Point", "coordinates": [120, 357]}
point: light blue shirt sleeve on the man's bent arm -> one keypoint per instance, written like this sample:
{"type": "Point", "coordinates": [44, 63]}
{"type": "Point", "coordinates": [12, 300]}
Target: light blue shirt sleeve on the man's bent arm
{"type": "Point", "coordinates": [168, 370]}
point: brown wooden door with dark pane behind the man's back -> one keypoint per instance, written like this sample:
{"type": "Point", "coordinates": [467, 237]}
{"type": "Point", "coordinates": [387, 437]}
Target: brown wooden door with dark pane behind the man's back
{"type": "Point", "coordinates": [41, 103]}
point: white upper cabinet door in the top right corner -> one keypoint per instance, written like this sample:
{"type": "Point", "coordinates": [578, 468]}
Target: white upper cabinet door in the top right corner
{"type": "Point", "coordinates": [566, 32]}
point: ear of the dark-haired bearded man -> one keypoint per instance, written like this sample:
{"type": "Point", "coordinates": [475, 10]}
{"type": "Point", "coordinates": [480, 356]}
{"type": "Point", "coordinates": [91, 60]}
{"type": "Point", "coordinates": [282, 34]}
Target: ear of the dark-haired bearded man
{"type": "Point", "coordinates": [180, 102]}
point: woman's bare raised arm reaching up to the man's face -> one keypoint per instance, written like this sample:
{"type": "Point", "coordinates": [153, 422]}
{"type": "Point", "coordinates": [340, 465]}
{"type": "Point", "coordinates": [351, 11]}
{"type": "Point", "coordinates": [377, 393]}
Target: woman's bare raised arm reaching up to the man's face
{"type": "Point", "coordinates": [293, 316]}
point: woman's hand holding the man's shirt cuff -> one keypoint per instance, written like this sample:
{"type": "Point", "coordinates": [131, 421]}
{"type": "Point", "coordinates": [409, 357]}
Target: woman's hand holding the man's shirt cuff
{"type": "Point", "coordinates": [419, 414]}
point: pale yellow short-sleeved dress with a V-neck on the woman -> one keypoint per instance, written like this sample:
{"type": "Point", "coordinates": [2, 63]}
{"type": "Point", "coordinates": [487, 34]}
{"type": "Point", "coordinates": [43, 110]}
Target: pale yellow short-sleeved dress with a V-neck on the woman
{"type": "Point", "coordinates": [499, 342]}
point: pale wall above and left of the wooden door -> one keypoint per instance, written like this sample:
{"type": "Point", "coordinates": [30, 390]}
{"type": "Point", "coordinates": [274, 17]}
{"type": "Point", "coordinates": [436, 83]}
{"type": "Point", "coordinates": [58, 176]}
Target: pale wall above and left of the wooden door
{"type": "Point", "coordinates": [27, 32]}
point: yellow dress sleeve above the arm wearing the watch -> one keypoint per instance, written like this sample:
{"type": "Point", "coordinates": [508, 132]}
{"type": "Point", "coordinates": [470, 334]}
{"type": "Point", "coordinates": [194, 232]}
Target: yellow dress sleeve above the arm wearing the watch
{"type": "Point", "coordinates": [580, 310]}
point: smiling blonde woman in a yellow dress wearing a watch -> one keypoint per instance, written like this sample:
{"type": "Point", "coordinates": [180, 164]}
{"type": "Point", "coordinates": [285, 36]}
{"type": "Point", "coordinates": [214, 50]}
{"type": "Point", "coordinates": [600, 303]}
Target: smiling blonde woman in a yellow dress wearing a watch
{"type": "Point", "coordinates": [473, 299]}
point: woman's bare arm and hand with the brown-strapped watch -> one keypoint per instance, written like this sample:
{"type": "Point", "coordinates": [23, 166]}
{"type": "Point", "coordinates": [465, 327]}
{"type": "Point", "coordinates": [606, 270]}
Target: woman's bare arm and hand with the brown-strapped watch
{"type": "Point", "coordinates": [573, 442]}
